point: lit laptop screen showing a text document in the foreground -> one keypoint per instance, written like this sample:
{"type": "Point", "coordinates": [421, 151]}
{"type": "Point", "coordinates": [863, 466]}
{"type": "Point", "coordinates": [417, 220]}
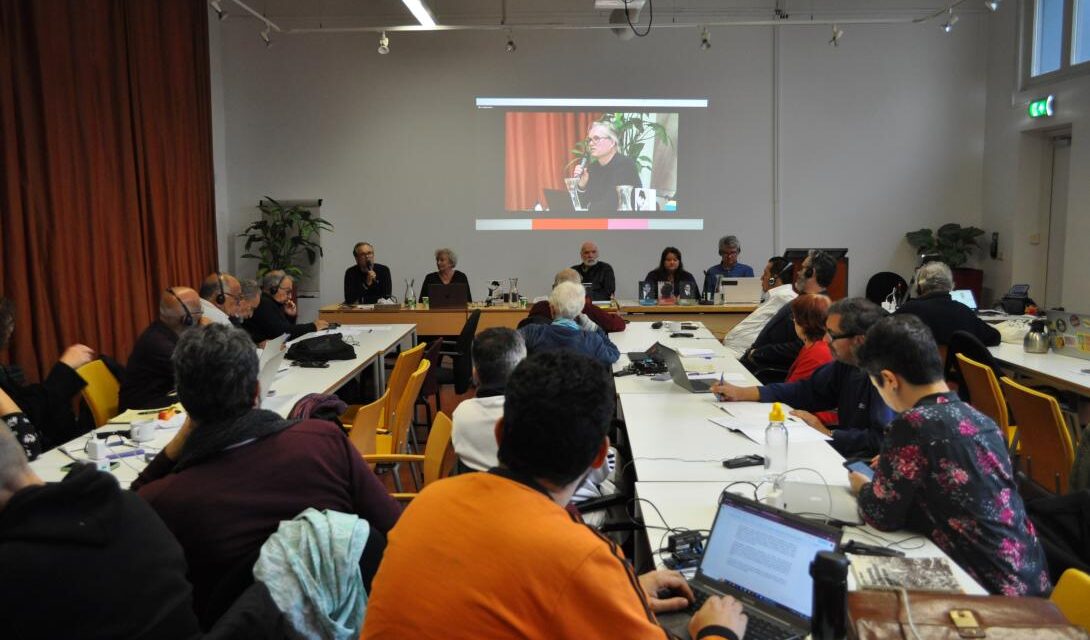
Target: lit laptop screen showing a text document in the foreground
{"type": "Point", "coordinates": [768, 559]}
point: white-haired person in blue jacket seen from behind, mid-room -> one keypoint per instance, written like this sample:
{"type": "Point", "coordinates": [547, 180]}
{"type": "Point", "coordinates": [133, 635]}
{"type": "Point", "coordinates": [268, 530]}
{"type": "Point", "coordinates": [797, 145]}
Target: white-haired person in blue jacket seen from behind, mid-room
{"type": "Point", "coordinates": [566, 304]}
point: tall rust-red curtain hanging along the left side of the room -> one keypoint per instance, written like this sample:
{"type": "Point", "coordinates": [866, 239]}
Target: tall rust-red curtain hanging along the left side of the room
{"type": "Point", "coordinates": [106, 148]}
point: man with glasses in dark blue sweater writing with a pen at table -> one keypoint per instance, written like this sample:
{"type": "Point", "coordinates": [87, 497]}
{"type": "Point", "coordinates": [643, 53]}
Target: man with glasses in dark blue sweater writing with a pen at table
{"type": "Point", "coordinates": [839, 385]}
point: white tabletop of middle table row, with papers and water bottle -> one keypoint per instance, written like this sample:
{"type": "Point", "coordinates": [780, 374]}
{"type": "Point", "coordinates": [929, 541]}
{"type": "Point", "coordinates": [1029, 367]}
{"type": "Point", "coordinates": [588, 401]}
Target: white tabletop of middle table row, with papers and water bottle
{"type": "Point", "coordinates": [679, 441]}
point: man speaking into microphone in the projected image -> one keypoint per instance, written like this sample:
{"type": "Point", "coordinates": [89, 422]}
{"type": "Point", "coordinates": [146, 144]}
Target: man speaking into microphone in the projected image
{"type": "Point", "coordinates": [604, 170]}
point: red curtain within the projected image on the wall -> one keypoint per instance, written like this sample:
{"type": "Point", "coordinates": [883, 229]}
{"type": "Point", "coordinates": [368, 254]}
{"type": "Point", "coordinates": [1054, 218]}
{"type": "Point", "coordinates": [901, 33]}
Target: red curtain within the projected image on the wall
{"type": "Point", "coordinates": [539, 147]}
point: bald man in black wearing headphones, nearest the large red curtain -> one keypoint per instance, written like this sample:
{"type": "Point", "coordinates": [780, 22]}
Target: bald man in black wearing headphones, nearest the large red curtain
{"type": "Point", "coordinates": [149, 381]}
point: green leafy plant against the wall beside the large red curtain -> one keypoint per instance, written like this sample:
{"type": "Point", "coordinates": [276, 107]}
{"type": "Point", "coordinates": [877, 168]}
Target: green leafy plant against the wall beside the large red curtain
{"type": "Point", "coordinates": [283, 237]}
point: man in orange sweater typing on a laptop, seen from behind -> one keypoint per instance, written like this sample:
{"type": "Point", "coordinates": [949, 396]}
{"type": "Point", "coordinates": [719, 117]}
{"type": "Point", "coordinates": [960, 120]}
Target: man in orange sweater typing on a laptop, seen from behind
{"type": "Point", "coordinates": [496, 556]}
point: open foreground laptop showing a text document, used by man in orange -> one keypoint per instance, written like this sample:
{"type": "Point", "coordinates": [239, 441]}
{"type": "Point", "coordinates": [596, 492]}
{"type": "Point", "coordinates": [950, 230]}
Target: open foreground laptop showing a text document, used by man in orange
{"type": "Point", "coordinates": [761, 557]}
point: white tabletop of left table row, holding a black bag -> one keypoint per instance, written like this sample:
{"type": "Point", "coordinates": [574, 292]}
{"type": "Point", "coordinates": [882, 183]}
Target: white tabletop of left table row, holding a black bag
{"type": "Point", "coordinates": [290, 385]}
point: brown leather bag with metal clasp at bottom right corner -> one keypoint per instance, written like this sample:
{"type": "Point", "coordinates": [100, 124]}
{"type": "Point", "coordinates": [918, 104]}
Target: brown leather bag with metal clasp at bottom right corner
{"type": "Point", "coordinates": [881, 615]}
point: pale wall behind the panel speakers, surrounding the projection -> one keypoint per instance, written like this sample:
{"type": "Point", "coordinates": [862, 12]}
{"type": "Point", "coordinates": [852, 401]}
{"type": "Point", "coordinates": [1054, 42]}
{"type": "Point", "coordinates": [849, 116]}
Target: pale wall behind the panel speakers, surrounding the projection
{"type": "Point", "coordinates": [879, 137]}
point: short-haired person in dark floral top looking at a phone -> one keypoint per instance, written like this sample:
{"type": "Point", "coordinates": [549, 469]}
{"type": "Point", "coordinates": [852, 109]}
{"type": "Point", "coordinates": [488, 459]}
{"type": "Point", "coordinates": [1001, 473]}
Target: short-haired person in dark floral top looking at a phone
{"type": "Point", "coordinates": [944, 468]}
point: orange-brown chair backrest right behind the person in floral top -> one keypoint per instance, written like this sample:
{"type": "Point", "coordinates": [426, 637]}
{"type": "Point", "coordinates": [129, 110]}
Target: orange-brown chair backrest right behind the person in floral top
{"type": "Point", "coordinates": [1046, 443]}
